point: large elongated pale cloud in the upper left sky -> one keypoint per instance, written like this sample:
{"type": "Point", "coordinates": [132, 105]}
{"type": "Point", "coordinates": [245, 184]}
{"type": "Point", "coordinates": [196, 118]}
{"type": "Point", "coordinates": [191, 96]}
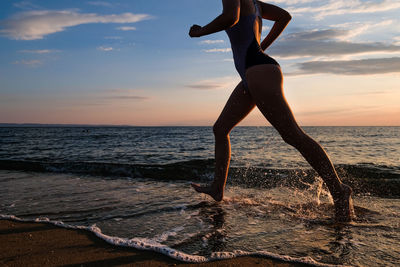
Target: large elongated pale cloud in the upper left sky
{"type": "Point", "coordinates": [32, 25]}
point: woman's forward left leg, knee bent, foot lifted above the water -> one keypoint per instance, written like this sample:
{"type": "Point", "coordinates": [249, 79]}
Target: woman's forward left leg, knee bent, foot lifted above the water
{"type": "Point", "coordinates": [239, 105]}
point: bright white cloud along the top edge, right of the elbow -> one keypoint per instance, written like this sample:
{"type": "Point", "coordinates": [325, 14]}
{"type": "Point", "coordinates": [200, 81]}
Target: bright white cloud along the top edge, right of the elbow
{"type": "Point", "coordinates": [341, 7]}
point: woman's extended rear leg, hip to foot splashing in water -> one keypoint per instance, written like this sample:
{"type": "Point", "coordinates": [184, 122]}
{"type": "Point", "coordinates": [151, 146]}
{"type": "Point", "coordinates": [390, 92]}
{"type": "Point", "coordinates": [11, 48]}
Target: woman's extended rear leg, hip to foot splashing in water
{"type": "Point", "coordinates": [265, 85]}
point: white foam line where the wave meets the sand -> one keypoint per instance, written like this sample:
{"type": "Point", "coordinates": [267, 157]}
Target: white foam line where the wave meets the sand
{"type": "Point", "coordinates": [153, 245]}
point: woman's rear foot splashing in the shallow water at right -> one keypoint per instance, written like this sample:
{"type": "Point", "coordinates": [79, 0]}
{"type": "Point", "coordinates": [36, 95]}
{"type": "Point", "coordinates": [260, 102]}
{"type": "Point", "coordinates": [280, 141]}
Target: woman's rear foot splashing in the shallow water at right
{"type": "Point", "coordinates": [344, 211]}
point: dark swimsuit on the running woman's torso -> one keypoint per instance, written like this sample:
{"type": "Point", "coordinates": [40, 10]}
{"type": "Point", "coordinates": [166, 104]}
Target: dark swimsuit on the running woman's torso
{"type": "Point", "coordinates": [245, 47]}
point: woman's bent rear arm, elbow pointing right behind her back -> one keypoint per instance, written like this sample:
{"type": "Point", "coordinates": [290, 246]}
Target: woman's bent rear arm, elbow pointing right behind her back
{"type": "Point", "coordinates": [281, 18]}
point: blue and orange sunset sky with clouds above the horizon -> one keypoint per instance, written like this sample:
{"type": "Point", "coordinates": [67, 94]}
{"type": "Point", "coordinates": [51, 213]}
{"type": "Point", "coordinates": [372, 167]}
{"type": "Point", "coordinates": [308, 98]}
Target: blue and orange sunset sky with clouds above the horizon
{"type": "Point", "coordinates": [132, 62]}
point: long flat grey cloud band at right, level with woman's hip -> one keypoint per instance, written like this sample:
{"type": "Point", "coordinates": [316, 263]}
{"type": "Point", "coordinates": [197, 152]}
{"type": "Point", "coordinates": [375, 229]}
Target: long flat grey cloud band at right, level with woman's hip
{"type": "Point", "coordinates": [350, 67]}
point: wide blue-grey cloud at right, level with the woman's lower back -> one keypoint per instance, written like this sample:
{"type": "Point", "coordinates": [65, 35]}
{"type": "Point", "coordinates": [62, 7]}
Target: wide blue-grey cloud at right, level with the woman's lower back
{"type": "Point", "coordinates": [325, 43]}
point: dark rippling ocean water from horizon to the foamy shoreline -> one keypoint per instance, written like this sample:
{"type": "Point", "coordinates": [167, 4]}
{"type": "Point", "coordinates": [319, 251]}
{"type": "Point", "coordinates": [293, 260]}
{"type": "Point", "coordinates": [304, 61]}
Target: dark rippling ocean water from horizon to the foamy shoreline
{"type": "Point", "coordinates": [134, 183]}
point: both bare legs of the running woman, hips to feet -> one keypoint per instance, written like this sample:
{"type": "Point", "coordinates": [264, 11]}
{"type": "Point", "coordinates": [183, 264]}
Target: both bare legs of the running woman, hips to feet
{"type": "Point", "coordinates": [266, 91]}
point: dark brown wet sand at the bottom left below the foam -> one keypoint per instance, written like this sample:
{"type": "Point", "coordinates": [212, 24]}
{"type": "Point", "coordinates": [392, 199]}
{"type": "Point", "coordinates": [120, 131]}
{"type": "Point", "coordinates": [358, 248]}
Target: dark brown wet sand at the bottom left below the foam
{"type": "Point", "coordinates": [38, 244]}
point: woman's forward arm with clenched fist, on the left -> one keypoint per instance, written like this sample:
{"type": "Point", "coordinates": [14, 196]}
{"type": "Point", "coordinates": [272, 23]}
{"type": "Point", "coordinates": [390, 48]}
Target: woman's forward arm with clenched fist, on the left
{"type": "Point", "coordinates": [229, 17]}
